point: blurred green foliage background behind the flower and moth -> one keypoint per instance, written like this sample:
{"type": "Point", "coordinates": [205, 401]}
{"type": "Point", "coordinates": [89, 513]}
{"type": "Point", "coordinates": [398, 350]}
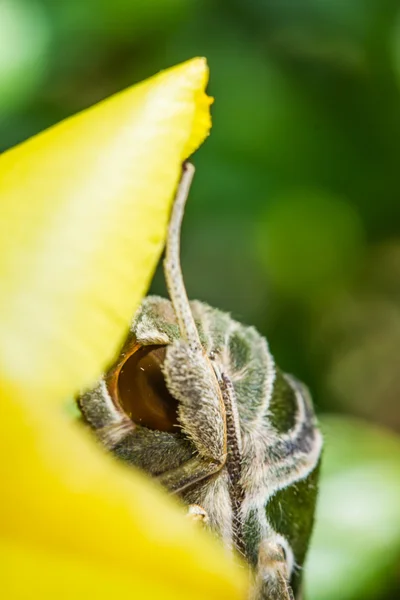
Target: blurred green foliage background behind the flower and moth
{"type": "Point", "coordinates": [294, 220]}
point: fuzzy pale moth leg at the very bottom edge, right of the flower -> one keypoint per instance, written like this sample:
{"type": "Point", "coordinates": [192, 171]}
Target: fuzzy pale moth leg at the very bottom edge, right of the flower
{"type": "Point", "coordinates": [272, 577]}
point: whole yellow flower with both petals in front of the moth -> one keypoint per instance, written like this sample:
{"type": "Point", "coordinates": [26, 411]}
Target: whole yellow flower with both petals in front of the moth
{"type": "Point", "coordinates": [83, 214]}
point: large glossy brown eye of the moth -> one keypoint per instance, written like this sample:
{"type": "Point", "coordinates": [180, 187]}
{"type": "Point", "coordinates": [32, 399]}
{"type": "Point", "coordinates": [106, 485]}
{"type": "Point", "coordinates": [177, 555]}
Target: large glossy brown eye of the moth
{"type": "Point", "coordinates": [142, 392]}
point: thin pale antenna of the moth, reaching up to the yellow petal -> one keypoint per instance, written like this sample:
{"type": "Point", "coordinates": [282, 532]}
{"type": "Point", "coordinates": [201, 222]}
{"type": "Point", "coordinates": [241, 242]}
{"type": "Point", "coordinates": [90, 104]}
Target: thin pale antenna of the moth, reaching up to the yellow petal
{"type": "Point", "coordinates": [172, 264]}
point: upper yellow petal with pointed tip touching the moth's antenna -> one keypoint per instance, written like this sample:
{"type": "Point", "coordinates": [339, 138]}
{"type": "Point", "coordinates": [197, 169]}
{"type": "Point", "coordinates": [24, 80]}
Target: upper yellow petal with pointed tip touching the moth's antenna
{"type": "Point", "coordinates": [84, 207]}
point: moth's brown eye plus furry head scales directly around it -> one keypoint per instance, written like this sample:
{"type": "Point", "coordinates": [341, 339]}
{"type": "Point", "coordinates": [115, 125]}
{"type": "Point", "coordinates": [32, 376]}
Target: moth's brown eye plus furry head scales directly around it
{"type": "Point", "coordinates": [131, 409]}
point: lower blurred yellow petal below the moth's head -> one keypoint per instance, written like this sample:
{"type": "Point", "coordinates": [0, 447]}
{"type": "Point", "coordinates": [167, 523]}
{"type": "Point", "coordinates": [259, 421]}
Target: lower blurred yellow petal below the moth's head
{"type": "Point", "coordinates": [65, 498]}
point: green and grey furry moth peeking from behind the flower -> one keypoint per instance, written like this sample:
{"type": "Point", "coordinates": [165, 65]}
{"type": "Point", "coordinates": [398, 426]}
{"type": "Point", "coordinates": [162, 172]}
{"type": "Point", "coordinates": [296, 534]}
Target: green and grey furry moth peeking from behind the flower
{"type": "Point", "coordinates": [196, 400]}
